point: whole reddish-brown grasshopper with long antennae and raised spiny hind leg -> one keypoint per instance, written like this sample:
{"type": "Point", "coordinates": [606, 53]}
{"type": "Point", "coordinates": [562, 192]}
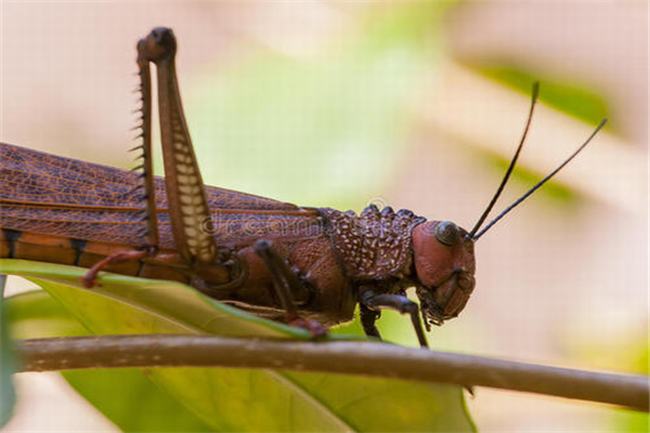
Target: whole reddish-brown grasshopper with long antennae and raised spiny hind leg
{"type": "Point", "coordinates": [308, 267]}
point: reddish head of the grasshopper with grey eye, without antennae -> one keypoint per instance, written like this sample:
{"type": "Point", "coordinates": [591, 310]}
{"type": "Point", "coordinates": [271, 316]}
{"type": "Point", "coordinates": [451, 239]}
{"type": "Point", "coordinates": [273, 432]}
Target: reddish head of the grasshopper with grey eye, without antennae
{"type": "Point", "coordinates": [444, 264]}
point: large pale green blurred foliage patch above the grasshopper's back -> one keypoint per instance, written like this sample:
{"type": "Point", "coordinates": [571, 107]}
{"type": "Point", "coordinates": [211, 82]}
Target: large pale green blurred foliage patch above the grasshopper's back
{"type": "Point", "coordinates": [322, 129]}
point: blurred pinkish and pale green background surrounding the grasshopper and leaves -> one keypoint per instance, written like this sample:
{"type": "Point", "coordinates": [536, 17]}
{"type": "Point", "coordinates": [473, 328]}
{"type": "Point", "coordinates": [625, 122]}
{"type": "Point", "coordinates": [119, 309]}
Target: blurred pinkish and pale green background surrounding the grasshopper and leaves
{"type": "Point", "coordinates": [411, 104]}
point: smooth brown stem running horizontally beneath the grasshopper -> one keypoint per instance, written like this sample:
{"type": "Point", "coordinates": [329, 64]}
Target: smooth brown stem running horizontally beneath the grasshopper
{"type": "Point", "coordinates": [356, 357]}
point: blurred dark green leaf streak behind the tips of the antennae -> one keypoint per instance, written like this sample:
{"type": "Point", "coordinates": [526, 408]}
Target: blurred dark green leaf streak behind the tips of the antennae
{"type": "Point", "coordinates": [570, 98]}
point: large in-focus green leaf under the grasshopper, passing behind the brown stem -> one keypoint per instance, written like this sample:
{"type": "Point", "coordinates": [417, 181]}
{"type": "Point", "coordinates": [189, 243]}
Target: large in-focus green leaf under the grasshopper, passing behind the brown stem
{"type": "Point", "coordinates": [229, 399]}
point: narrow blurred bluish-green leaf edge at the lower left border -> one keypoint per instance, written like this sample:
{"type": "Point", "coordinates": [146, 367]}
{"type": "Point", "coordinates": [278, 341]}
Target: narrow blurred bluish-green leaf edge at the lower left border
{"type": "Point", "coordinates": [7, 363]}
